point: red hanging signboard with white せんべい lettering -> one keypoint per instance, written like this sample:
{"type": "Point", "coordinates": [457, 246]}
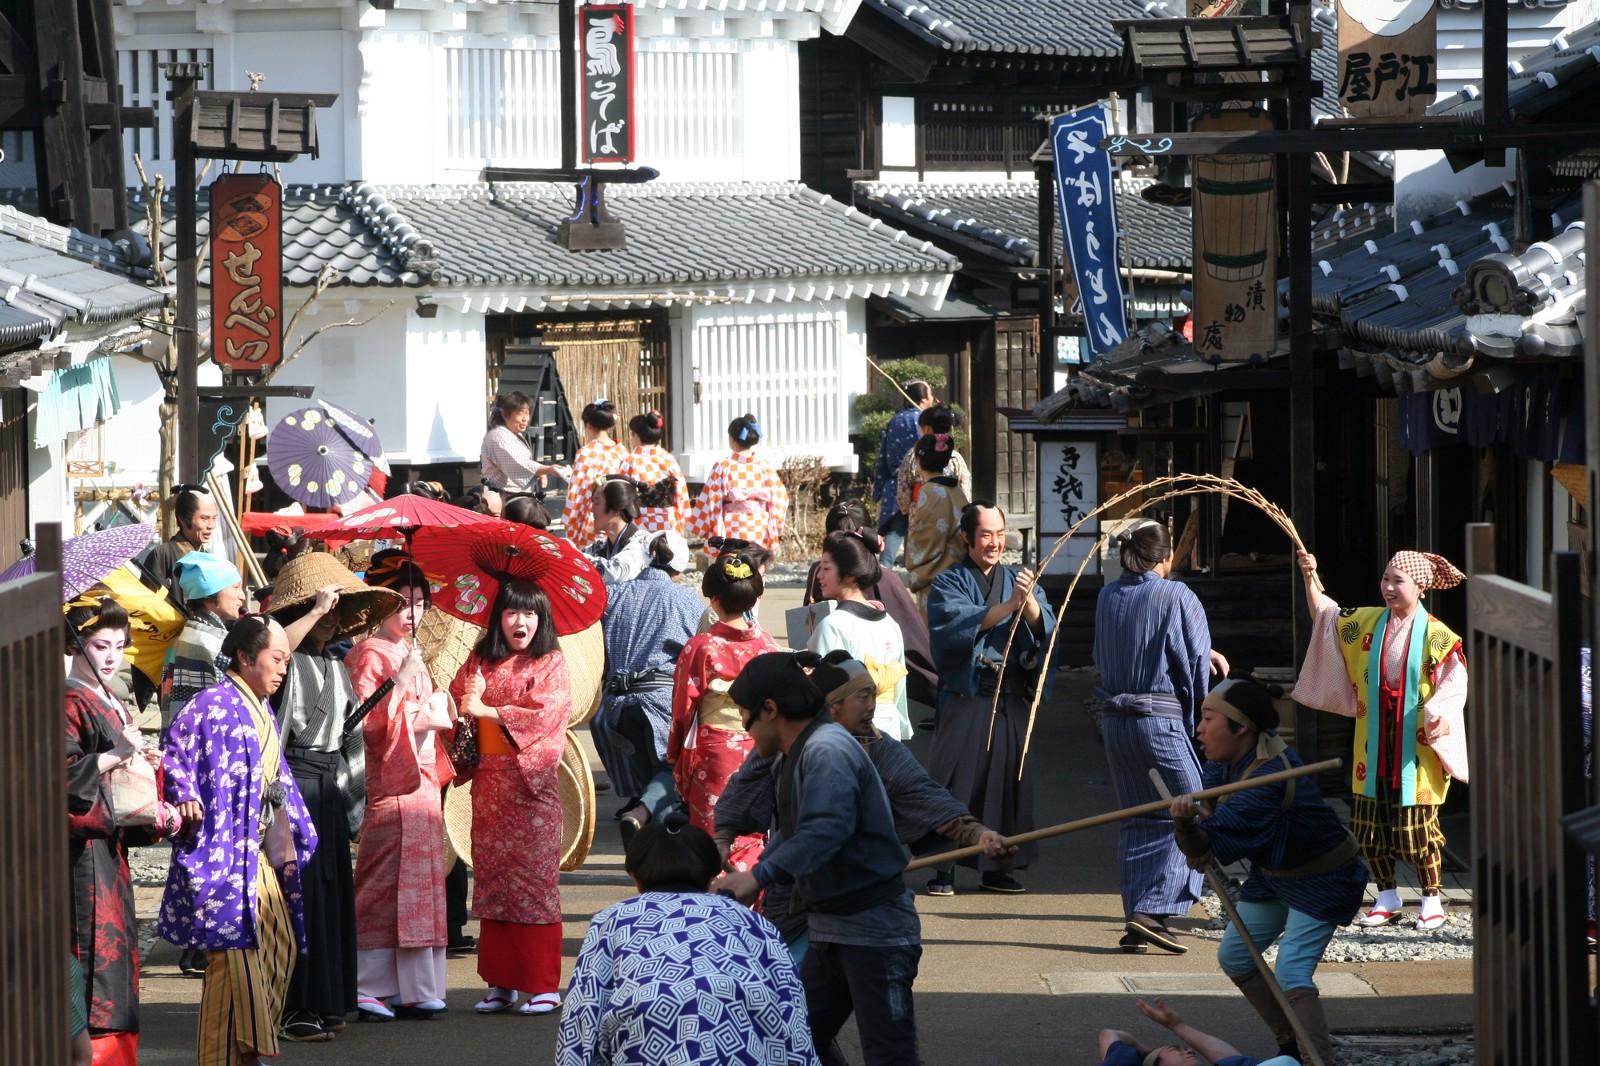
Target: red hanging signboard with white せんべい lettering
{"type": "Point", "coordinates": [247, 273]}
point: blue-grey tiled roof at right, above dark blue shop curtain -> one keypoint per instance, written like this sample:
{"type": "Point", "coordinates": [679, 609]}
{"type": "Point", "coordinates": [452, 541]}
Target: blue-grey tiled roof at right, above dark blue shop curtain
{"type": "Point", "coordinates": [1418, 307]}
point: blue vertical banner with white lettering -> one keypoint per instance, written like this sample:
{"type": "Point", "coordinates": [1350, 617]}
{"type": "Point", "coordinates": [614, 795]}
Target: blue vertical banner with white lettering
{"type": "Point", "coordinates": [1087, 196]}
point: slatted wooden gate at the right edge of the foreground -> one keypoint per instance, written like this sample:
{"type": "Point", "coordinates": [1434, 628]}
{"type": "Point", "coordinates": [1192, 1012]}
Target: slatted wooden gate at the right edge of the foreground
{"type": "Point", "coordinates": [1526, 735]}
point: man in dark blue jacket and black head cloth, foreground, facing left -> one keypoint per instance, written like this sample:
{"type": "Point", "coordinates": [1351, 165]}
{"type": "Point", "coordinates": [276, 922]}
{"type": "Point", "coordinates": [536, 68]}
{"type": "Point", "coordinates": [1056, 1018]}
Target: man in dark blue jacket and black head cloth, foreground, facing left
{"type": "Point", "coordinates": [844, 857]}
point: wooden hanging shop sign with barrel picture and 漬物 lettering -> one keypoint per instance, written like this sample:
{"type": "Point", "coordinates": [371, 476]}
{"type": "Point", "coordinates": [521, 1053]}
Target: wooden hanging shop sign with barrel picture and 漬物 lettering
{"type": "Point", "coordinates": [1236, 223]}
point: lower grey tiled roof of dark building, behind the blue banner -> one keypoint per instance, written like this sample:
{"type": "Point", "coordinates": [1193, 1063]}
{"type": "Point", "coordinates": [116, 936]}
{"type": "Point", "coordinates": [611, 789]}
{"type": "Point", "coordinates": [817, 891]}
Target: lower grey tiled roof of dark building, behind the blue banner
{"type": "Point", "coordinates": [1001, 220]}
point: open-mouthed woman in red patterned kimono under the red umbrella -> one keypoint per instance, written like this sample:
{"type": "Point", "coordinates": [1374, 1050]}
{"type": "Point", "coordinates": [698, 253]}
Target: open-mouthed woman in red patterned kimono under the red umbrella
{"type": "Point", "coordinates": [516, 687]}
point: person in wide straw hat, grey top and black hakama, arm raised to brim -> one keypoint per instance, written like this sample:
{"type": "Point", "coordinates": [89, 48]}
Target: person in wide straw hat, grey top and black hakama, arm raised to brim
{"type": "Point", "coordinates": [321, 603]}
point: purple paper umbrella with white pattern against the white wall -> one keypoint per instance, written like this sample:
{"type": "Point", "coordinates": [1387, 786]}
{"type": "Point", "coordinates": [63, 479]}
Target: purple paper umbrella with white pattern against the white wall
{"type": "Point", "coordinates": [321, 460]}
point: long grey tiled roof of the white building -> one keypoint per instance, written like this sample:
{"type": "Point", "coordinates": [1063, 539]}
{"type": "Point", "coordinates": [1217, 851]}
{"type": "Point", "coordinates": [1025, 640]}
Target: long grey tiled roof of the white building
{"type": "Point", "coordinates": [506, 234]}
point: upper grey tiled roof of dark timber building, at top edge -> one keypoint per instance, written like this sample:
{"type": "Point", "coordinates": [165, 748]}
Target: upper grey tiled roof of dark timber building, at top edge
{"type": "Point", "coordinates": [1042, 28]}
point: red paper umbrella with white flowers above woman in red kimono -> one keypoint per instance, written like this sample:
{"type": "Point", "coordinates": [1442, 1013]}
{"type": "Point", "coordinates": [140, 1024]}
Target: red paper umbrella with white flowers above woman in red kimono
{"type": "Point", "coordinates": [473, 561]}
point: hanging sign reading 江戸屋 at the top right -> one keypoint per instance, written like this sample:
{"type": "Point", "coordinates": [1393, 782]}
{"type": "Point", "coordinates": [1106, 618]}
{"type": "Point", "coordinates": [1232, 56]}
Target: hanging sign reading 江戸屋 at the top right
{"type": "Point", "coordinates": [1388, 57]}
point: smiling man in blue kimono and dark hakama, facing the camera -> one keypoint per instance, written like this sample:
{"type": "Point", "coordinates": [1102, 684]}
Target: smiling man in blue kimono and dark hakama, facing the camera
{"type": "Point", "coordinates": [972, 609]}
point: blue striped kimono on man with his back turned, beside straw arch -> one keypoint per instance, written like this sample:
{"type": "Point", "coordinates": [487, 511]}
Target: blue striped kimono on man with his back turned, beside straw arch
{"type": "Point", "coordinates": [1154, 654]}
